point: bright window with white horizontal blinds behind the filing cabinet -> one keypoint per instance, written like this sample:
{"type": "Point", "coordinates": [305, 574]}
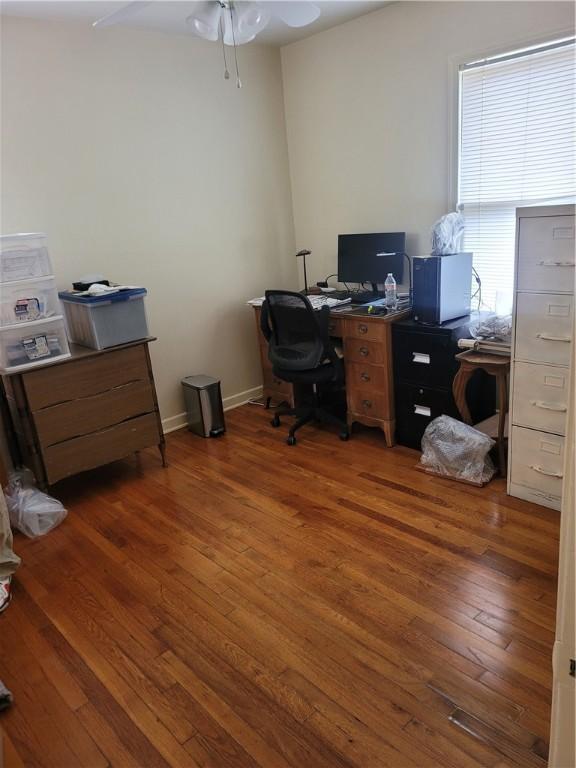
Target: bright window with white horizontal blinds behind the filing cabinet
{"type": "Point", "coordinates": [516, 147]}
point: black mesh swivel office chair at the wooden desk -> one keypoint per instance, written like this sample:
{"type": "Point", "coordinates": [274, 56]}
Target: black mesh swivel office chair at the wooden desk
{"type": "Point", "coordinates": [301, 353]}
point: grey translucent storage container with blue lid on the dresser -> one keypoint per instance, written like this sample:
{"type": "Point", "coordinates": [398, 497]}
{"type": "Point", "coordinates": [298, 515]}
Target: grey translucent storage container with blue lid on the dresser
{"type": "Point", "coordinates": [107, 320]}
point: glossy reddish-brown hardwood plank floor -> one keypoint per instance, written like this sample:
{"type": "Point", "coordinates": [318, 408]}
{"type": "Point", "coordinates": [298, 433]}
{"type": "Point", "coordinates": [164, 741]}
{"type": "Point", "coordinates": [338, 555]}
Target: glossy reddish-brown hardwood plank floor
{"type": "Point", "coordinates": [254, 604]}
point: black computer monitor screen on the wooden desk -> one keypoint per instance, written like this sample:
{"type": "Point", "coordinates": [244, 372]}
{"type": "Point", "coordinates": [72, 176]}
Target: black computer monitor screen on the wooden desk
{"type": "Point", "coordinates": [370, 257]}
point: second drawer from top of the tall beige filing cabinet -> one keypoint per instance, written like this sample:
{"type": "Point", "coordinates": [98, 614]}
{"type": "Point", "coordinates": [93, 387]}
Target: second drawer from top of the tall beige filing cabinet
{"type": "Point", "coordinates": [544, 328]}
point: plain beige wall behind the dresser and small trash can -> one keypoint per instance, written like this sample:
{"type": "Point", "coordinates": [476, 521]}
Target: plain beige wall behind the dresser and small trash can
{"type": "Point", "coordinates": [132, 153]}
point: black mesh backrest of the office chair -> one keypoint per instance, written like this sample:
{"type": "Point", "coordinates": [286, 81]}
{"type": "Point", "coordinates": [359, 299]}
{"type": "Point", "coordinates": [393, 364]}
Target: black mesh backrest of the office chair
{"type": "Point", "coordinates": [297, 334]}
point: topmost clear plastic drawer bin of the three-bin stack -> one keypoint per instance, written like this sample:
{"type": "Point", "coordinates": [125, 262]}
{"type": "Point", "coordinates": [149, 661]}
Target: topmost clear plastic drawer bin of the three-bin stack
{"type": "Point", "coordinates": [23, 257]}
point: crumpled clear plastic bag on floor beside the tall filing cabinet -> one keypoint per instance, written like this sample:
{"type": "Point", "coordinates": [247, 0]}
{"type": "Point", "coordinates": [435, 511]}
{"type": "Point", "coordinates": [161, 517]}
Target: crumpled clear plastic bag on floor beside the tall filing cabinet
{"type": "Point", "coordinates": [457, 450]}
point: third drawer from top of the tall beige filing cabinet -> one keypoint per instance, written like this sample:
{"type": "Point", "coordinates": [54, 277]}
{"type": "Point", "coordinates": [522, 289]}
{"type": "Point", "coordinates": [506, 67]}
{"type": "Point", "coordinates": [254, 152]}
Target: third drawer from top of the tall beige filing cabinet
{"type": "Point", "coordinates": [540, 397]}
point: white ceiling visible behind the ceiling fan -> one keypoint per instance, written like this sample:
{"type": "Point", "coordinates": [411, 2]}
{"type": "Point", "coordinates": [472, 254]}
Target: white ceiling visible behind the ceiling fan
{"type": "Point", "coordinates": [170, 15]}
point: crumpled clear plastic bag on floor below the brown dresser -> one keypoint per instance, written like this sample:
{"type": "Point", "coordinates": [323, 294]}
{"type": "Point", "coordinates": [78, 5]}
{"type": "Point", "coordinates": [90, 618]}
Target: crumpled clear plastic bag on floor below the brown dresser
{"type": "Point", "coordinates": [30, 511]}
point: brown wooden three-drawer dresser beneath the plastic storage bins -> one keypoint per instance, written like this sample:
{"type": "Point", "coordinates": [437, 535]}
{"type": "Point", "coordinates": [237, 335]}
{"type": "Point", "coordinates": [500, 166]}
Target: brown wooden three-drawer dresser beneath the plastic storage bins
{"type": "Point", "coordinates": [93, 408]}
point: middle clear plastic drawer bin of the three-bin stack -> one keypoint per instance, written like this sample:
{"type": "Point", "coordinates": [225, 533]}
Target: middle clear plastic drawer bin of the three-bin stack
{"type": "Point", "coordinates": [24, 301]}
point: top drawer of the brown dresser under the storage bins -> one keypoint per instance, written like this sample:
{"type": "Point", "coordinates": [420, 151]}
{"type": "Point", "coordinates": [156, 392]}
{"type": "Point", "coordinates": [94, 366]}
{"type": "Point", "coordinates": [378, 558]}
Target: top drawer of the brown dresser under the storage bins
{"type": "Point", "coordinates": [85, 377]}
